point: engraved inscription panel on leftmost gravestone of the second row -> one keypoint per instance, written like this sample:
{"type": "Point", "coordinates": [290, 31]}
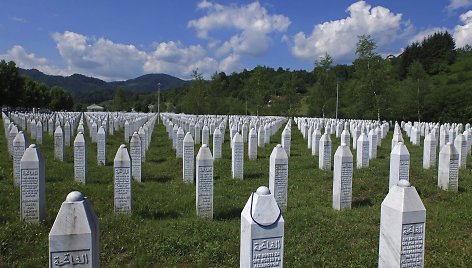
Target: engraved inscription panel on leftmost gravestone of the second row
{"type": "Point", "coordinates": [30, 194]}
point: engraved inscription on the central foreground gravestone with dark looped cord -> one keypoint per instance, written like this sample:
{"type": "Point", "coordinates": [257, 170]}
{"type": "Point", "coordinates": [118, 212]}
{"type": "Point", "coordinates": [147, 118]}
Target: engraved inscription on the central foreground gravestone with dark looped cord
{"type": "Point", "coordinates": [266, 252]}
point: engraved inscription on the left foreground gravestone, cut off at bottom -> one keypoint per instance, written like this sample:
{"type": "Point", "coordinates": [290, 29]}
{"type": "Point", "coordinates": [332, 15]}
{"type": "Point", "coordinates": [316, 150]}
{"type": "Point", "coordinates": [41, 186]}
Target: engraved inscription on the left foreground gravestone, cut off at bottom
{"type": "Point", "coordinates": [76, 258]}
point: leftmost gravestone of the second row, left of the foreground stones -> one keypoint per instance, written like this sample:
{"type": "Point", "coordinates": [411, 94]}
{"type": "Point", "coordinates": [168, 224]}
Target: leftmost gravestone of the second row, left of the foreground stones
{"type": "Point", "coordinates": [32, 185]}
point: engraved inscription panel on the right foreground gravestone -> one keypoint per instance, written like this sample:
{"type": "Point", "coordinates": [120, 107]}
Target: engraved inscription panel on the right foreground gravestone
{"type": "Point", "coordinates": [412, 245]}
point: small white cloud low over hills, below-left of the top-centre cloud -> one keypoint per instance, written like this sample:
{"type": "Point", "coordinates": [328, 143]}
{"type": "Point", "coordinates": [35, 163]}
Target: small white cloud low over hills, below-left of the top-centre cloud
{"type": "Point", "coordinates": [175, 59]}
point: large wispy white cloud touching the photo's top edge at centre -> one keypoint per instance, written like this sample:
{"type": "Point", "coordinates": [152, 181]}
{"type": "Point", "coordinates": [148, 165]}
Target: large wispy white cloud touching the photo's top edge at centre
{"type": "Point", "coordinates": [252, 22]}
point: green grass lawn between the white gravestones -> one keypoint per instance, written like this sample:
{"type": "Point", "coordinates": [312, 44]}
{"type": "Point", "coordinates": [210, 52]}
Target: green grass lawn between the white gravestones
{"type": "Point", "coordinates": [164, 231]}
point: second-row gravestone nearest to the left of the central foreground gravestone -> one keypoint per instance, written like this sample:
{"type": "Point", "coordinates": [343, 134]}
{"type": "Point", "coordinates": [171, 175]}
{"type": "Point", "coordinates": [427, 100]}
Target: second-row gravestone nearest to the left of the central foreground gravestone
{"type": "Point", "coordinates": [204, 183]}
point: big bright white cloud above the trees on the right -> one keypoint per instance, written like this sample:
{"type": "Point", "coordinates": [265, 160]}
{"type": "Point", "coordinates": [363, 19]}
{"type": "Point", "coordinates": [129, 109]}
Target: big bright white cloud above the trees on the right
{"type": "Point", "coordinates": [338, 38]}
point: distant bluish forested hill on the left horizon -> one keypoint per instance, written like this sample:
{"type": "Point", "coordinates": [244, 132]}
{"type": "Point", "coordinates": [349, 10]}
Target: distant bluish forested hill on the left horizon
{"type": "Point", "coordinates": [93, 90]}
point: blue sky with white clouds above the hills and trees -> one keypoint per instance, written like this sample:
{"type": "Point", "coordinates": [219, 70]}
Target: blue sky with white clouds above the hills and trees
{"type": "Point", "coordinates": [117, 40]}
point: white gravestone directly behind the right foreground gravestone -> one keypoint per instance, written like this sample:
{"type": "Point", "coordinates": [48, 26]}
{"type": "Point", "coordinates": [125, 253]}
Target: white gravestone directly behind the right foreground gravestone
{"type": "Point", "coordinates": [399, 165]}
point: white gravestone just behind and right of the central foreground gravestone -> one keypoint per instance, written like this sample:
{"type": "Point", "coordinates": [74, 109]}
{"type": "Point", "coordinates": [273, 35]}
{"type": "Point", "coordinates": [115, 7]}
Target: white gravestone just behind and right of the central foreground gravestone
{"type": "Point", "coordinates": [278, 176]}
